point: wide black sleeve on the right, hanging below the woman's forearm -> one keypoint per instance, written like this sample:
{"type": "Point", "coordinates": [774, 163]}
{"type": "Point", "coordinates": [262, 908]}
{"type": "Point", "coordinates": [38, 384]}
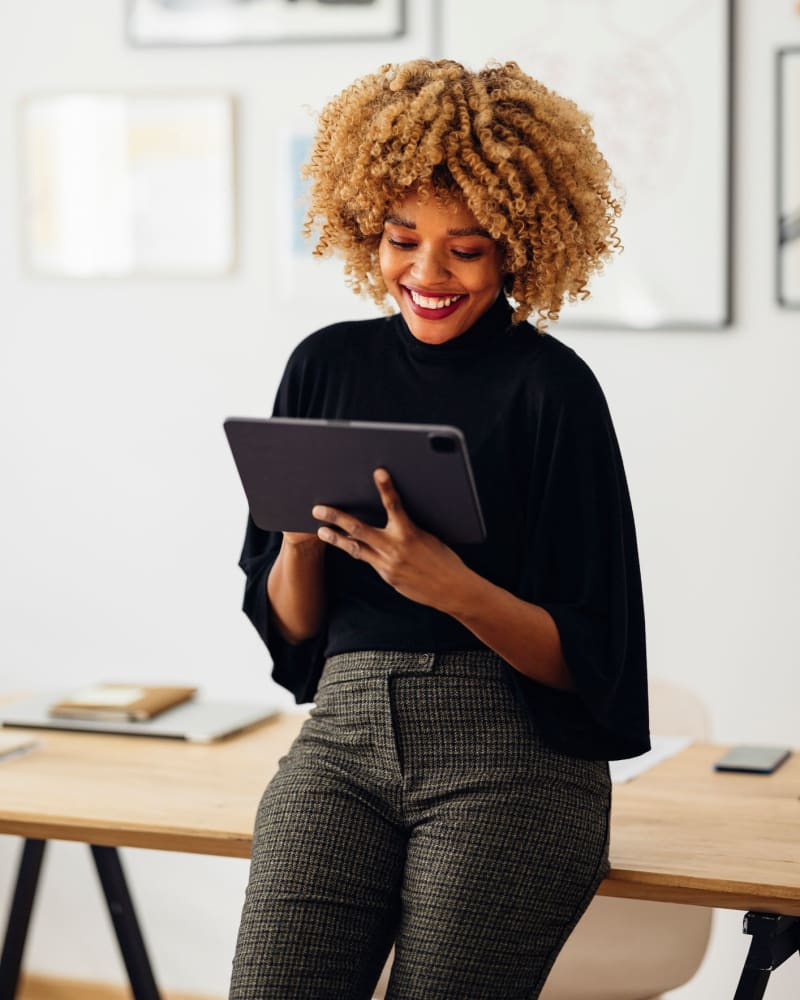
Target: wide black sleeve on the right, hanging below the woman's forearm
{"type": "Point", "coordinates": [580, 563]}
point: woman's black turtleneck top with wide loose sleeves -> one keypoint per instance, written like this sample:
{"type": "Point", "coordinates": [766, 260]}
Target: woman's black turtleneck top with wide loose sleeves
{"type": "Point", "coordinates": [552, 487]}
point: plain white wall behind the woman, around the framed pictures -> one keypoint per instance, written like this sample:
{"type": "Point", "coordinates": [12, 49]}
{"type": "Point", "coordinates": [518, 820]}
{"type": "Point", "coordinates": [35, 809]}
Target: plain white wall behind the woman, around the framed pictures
{"type": "Point", "coordinates": [122, 517]}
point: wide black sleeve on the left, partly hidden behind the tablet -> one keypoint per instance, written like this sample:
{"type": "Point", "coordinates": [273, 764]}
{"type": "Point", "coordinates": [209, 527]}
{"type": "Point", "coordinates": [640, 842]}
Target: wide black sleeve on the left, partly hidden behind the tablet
{"type": "Point", "coordinates": [296, 666]}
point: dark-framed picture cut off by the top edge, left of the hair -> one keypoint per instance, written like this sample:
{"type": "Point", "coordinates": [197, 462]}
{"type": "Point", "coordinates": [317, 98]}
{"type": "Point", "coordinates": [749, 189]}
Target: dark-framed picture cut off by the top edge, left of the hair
{"type": "Point", "coordinates": [239, 22]}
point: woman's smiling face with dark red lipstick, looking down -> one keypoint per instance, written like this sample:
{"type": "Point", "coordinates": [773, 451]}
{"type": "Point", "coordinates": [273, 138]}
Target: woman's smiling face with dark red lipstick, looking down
{"type": "Point", "coordinates": [442, 269]}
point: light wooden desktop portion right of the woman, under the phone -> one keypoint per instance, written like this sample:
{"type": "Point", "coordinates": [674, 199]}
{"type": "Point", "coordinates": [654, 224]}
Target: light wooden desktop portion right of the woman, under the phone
{"type": "Point", "coordinates": [685, 833]}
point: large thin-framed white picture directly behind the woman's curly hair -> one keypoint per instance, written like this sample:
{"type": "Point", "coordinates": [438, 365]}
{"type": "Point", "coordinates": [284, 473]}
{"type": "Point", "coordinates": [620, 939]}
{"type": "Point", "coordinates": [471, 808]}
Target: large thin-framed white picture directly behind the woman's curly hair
{"type": "Point", "coordinates": [655, 79]}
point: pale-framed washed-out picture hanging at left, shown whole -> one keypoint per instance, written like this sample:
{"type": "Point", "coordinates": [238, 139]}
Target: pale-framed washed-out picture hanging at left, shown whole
{"type": "Point", "coordinates": [117, 185]}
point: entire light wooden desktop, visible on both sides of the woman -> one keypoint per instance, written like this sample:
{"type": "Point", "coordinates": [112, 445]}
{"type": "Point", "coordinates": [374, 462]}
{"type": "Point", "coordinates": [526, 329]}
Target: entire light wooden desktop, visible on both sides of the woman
{"type": "Point", "coordinates": [681, 832]}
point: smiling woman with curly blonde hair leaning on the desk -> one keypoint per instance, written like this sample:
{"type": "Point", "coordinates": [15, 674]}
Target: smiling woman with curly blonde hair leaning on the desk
{"type": "Point", "coordinates": [450, 791]}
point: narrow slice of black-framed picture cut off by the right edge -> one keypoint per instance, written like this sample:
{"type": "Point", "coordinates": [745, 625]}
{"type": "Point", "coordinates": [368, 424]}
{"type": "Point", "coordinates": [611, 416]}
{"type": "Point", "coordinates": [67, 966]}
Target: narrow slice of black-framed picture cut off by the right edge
{"type": "Point", "coordinates": [788, 186]}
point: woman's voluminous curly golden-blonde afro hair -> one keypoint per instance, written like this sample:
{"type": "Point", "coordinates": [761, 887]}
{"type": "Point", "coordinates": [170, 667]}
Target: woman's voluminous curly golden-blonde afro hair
{"type": "Point", "coordinates": [519, 156]}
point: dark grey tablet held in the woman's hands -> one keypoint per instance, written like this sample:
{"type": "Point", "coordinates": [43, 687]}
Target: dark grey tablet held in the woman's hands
{"type": "Point", "coordinates": [288, 465]}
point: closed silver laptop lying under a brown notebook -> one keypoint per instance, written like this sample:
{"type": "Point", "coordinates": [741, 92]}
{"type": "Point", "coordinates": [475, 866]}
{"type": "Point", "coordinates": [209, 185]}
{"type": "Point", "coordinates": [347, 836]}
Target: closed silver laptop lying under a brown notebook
{"type": "Point", "coordinates": [198, 720]}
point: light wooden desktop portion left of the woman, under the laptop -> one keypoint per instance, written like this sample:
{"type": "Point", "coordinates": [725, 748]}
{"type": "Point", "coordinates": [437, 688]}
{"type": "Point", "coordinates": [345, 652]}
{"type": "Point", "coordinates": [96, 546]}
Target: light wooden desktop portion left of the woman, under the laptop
{"type": "Point", "coordinates": [134, 791]}
